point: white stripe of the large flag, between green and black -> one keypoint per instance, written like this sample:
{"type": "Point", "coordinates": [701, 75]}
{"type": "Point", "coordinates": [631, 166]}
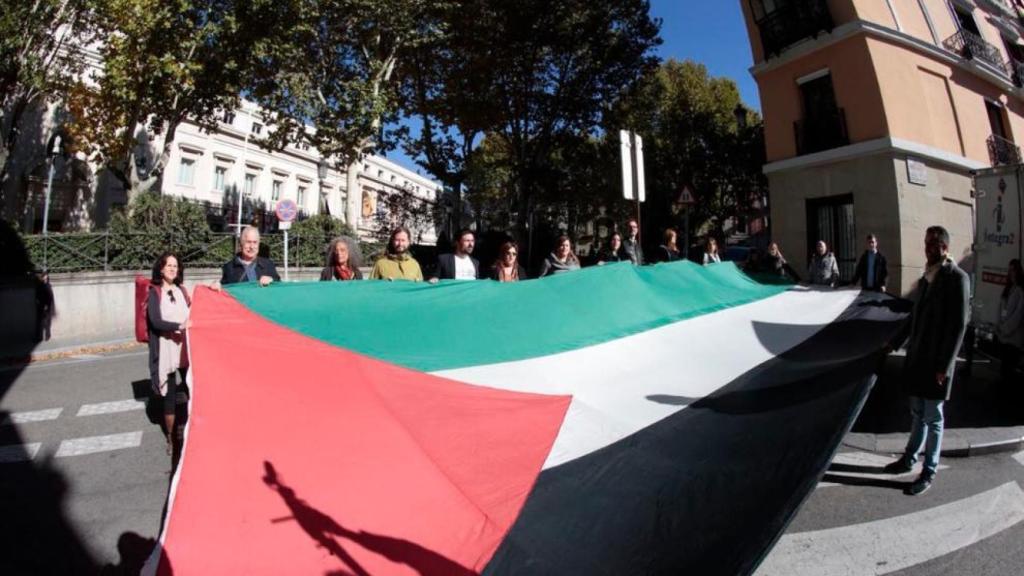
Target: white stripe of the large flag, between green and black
{"type": "Point", "coordinates": [639, 380]}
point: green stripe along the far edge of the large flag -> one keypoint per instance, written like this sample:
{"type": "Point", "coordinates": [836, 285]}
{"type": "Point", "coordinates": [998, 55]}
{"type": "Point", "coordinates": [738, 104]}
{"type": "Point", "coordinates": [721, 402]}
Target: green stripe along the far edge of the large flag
{"type": "Point", "coordinates": [458, 324]}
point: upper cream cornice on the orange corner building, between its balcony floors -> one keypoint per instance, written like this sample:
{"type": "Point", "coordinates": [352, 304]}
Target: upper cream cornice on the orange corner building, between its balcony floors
{"type": "Point", "coordinates": [856, 28]}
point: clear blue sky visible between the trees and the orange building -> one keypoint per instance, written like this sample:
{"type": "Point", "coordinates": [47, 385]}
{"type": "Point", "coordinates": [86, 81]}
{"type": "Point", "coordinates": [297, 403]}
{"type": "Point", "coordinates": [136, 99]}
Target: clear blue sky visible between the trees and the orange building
{"type": "Point", "coordinates": [711, 32]}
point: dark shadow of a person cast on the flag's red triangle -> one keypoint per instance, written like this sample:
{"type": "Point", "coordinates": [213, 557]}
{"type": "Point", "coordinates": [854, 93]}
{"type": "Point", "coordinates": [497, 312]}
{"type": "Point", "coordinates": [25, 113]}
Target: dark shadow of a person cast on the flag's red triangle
{"type": "Point", "coordinates": [326, 531]}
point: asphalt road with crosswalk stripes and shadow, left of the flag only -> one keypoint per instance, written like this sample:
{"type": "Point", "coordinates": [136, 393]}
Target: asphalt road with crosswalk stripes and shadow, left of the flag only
{"type": "Point", "coordinates": [83, 469]}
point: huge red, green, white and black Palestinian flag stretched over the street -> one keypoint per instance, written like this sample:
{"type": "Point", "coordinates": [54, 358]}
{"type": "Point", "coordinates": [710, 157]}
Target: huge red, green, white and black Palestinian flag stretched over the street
{"type": "Point", "coordinates": [618, 421]}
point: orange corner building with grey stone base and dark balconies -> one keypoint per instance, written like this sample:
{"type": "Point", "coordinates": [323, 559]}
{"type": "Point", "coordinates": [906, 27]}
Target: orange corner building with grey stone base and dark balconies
{"type": "Point", "coordinates": [876, 114]}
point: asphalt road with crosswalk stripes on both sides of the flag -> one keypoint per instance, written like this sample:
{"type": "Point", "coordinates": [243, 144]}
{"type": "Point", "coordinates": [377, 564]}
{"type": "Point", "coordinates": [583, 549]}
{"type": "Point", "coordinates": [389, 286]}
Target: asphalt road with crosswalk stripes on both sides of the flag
{"type": "Point", "coordinates": [84, 477]}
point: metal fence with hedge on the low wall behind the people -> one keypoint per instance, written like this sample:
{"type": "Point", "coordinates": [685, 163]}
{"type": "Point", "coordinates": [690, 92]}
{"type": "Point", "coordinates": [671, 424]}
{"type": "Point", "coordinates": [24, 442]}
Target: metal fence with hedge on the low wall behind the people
{"type": "Point", "coordinates": [113, 252]}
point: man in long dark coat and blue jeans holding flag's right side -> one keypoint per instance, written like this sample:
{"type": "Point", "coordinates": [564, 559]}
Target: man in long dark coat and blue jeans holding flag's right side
{"type": "Point", "coordinates": [942, 308]}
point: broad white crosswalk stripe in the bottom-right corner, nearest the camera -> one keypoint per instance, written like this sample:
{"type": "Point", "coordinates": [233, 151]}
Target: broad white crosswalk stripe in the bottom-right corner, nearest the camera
{"type": "Point", "coordinates": [888, 546]}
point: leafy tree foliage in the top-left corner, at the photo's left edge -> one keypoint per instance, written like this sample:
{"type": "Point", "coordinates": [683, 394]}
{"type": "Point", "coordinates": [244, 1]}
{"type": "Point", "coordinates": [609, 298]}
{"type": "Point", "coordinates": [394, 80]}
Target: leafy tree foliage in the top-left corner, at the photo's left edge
{"type": "Point", "coordinates": [40, 52]}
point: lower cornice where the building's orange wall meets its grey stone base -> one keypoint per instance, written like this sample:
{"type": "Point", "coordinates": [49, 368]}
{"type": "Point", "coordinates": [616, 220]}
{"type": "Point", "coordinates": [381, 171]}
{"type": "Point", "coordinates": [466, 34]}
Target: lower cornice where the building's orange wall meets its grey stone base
{"type": "Point", "coordinates": [872, 148]}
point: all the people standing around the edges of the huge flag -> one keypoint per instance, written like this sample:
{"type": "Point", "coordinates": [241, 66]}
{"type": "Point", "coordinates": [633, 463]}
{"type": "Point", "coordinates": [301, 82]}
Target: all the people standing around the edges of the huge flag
{"type": "Point", "coordinates": [938, 321]}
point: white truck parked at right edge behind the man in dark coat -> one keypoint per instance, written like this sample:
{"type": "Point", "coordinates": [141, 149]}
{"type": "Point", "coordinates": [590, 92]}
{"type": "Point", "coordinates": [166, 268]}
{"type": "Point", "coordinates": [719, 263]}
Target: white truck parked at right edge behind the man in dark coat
{"type": "Point", "coordinates": [998, 240]}
